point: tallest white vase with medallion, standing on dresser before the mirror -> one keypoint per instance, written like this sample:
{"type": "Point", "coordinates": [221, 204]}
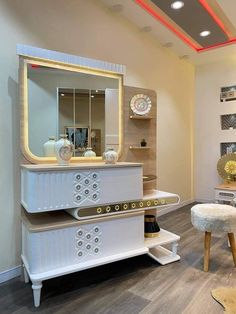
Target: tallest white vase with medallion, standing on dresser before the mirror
{"type": "Point", "coordinates": [64, 150]}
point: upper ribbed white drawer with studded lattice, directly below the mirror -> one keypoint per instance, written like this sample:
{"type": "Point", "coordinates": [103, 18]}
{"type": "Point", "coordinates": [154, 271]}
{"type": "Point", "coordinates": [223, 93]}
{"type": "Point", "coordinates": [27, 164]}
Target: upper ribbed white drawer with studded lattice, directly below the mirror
{"type": "Point", "coordinates": [54, 190]}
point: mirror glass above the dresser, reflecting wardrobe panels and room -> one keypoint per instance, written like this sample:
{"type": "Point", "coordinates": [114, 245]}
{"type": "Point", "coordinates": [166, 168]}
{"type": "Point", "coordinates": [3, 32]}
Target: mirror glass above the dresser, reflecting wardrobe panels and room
{"type": "Point", "coordinates": [83, 106]}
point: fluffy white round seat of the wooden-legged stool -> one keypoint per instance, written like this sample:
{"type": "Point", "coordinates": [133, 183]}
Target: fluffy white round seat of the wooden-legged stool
{"type": "Point", "coordinates": [214, 217]}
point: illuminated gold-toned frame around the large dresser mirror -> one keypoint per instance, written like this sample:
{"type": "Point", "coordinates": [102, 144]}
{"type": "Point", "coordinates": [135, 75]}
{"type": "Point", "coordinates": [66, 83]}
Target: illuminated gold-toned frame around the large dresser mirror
{"type": "Point", "coordinates": [23, 91]}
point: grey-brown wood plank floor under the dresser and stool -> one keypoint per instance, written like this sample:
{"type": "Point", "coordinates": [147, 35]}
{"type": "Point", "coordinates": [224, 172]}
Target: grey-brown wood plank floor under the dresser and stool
{"type": "Point", "coordinates": [137, 285]}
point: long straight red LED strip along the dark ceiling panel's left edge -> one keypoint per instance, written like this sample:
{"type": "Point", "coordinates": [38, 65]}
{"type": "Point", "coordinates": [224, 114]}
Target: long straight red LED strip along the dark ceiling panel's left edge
{"type": "Point", "coordinates": [150, 10]}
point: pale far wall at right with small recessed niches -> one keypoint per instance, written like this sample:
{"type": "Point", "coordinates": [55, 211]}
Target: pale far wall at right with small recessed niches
{"type": "Point", "coordinates": [208, 134]}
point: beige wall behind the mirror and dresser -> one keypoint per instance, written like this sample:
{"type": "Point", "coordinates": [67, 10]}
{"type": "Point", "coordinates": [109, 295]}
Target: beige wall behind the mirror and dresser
{"type": "Point", "coordinates": [87, 28]}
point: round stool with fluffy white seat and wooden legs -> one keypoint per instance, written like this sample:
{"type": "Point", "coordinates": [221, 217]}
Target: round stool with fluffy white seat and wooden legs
{"type": "Point", "coordinates": [214, 218]}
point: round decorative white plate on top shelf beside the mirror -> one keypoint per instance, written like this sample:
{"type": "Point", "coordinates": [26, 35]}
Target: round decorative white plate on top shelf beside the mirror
{"type": "Point", "coordinates": [140, 104]}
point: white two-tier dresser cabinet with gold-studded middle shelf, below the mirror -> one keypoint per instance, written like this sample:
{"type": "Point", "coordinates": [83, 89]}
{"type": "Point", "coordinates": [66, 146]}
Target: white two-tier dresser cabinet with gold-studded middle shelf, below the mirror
{"type": "Point", "coordinates": [107, 229]}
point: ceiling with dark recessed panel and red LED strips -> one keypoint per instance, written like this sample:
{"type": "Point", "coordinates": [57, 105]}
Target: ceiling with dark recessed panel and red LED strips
{"type": "Point", "coordinates": [179, 31]}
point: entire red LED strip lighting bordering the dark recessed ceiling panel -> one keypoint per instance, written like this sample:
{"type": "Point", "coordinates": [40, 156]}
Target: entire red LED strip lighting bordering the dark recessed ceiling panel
{"type": "Point", "coordinates": [206, 6]}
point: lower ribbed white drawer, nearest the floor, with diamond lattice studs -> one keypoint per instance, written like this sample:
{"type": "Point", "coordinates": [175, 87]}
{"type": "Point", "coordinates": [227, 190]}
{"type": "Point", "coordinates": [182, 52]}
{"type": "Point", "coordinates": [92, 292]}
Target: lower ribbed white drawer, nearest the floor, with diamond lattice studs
{"type": "Point", "coordinates": [52, 249]}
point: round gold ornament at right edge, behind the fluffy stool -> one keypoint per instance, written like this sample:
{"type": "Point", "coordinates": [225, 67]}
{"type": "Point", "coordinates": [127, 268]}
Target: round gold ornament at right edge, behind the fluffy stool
{"type": "Point", "coordinates": [226, 167]}
